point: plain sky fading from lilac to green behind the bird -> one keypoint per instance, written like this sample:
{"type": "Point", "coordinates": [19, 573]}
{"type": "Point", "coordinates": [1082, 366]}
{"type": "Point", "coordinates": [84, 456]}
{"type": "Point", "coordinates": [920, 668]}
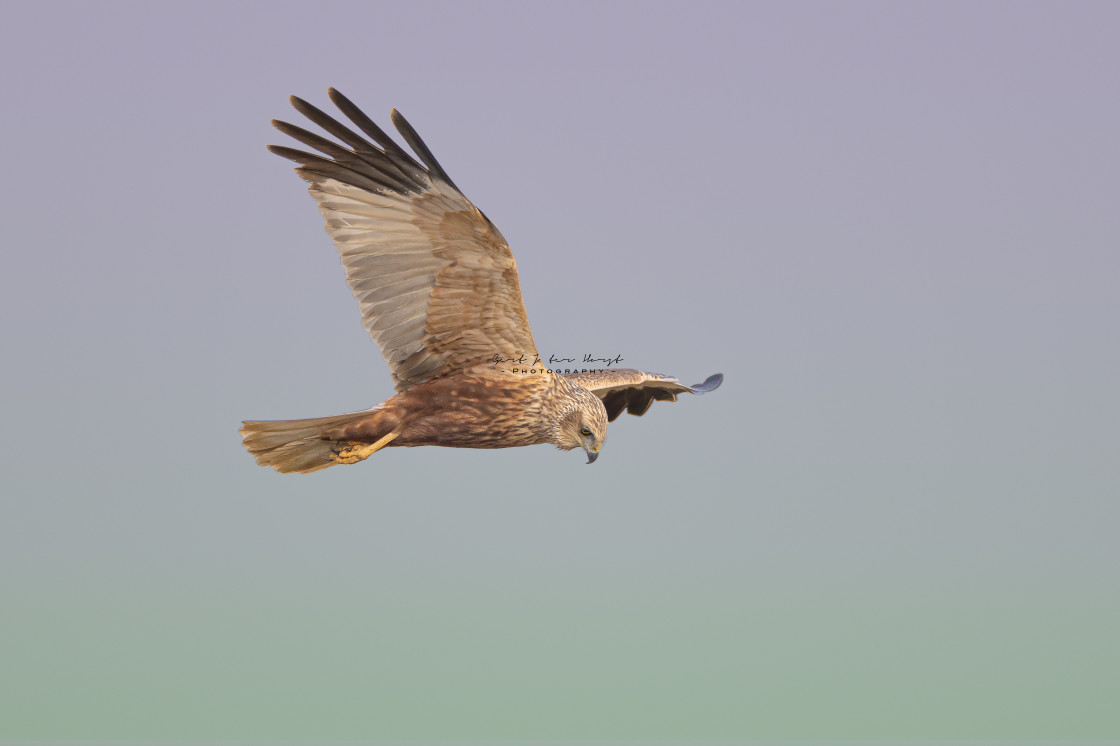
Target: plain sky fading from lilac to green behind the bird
{"type": "Point", "coordinates": [894, 227]}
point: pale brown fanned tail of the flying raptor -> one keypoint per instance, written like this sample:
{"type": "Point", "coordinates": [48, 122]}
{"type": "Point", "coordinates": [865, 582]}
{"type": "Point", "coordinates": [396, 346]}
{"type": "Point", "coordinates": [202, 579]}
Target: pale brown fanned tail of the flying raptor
{"type": "Point", "coordinates": [300, 446]}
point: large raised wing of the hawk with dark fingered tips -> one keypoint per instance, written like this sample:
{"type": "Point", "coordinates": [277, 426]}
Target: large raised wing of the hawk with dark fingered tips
{"type": "Point", "coordinates": [435, 281]}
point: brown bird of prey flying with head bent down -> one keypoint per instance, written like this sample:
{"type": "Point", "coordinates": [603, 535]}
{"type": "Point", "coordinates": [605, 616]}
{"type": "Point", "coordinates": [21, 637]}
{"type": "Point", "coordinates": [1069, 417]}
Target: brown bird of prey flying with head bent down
{"type": "Point", "coordinates": [438, 291]}
